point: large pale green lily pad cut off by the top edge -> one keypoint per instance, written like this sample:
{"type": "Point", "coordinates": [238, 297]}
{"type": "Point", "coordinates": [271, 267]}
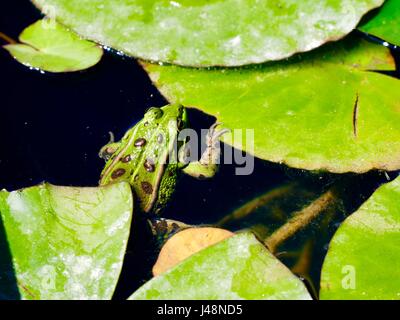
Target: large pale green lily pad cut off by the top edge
{"type": "Point", "coordinates": [210, 32]}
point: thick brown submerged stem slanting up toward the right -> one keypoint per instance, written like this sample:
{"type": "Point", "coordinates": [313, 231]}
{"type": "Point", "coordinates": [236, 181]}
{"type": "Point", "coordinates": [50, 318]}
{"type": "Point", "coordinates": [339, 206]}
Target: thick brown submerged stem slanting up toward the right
{"type": "Point", "coordinates": [300, 220]}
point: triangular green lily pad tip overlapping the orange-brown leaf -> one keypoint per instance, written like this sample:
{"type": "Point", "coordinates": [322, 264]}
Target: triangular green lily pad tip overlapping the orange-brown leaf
{"type": "Point", "coordinates": [237, 268]}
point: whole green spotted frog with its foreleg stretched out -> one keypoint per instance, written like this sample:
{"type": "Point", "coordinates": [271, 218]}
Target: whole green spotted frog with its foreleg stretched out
{"type": "Point", "coordinates": [148, 157]}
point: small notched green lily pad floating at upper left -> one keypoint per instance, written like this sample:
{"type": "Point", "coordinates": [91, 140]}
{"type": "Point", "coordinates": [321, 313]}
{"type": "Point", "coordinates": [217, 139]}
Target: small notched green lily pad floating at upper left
{"type": "Point", "coordinates": [48, 46]}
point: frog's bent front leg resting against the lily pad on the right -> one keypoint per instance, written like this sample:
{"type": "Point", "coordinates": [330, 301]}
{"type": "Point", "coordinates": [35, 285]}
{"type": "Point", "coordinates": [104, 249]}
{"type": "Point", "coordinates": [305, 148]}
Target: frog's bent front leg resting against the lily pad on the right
{"type": "Point", "coordinates": [207, 166]}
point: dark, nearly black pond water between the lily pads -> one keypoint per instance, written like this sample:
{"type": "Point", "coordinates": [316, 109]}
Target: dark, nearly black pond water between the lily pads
{"type": "Point", "coordinates": [52, 127]}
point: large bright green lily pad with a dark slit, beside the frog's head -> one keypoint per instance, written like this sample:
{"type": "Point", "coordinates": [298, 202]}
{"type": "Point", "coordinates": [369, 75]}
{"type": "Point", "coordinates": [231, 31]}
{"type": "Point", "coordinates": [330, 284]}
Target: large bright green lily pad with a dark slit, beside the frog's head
{"type": "Point", "coordinates": [318, 111]}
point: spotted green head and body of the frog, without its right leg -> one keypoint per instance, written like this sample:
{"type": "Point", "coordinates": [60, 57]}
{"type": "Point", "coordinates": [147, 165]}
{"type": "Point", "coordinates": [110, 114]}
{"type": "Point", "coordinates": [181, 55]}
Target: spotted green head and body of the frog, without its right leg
{"type": "Point", "coordinates": [141, 157]}
